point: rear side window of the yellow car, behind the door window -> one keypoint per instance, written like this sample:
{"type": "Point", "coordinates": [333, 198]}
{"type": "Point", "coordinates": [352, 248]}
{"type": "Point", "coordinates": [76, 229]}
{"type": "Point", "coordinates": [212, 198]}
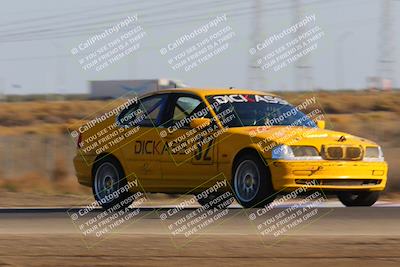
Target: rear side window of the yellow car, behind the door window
{"type": "Point", "coordinates": [146, 113]}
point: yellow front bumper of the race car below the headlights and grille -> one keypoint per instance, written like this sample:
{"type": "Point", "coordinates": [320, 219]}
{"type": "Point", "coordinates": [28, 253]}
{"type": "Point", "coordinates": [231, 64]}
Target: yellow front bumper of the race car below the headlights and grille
{"type": "Point", "coordinates": [328, 175]}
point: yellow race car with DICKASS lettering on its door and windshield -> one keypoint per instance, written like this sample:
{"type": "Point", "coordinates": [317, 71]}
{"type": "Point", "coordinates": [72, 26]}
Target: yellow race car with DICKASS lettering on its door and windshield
{"type": "Point", "coordinates": [252, 144]}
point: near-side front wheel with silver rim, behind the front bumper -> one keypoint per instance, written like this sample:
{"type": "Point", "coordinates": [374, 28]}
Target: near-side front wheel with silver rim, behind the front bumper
{"type": "Point", "coordinates": [252, 182]}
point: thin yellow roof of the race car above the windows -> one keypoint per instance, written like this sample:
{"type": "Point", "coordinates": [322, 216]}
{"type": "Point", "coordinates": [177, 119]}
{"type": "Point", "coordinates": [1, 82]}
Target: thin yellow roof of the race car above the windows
{"type": "Point", "coordinates": [210, 91]}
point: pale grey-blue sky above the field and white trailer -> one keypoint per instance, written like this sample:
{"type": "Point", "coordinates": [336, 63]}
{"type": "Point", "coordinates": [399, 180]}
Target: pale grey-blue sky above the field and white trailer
{"type": "Point", "coordinates": [36, 38]}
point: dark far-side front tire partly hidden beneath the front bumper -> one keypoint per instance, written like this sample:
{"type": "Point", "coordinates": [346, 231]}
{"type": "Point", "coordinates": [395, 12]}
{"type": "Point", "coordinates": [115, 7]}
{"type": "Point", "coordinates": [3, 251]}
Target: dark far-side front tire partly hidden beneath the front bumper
{"type": "Point", "coordinates": [358, 199]}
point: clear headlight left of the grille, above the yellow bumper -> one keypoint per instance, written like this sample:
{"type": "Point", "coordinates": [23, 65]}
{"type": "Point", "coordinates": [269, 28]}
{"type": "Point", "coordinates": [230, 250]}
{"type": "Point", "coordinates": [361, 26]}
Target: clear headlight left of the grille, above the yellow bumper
{"type": "Point", "coordinates": [295, 153]}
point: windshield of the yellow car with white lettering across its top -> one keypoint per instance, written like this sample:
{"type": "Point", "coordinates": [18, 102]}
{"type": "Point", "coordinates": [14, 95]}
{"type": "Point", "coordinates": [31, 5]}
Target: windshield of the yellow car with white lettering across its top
{"type": "Point", "coordinates": [257, 110]}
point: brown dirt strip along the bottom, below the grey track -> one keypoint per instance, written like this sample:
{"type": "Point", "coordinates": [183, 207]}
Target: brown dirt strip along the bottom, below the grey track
{"type": "Point", "coordinates": [156, 250]}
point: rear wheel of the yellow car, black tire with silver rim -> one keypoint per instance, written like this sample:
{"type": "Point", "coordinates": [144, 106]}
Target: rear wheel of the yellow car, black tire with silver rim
{"type": "Point", "coordinates": [109, 170]}
